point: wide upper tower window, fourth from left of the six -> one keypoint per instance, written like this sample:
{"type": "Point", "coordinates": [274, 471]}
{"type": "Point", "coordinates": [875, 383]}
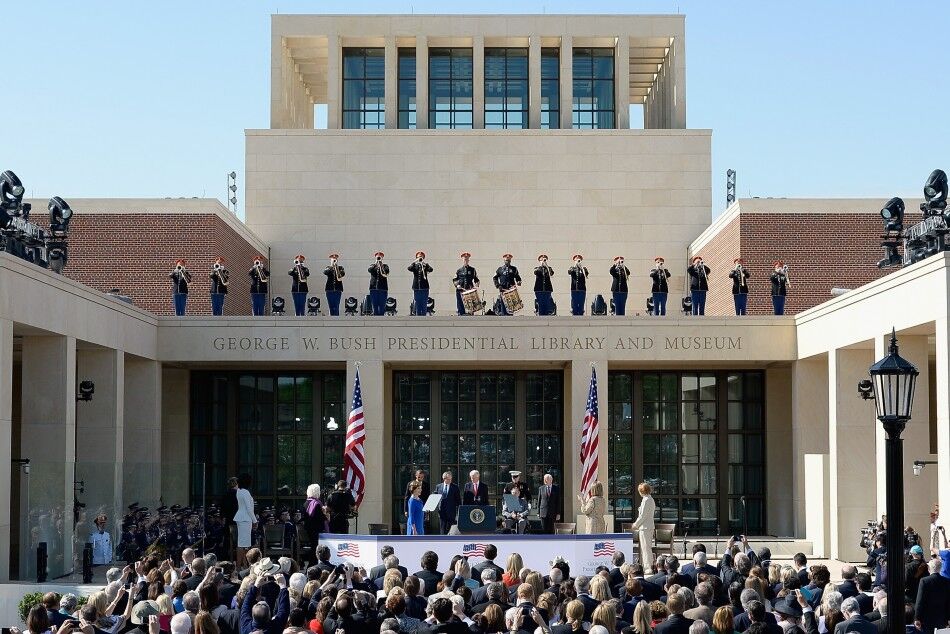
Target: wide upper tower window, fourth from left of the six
{"type": "Point", "coordinates": [506, 88]}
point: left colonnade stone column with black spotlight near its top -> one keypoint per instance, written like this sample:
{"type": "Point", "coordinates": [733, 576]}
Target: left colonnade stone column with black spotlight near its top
{"type": "Point", "coordinates": [99, 439]}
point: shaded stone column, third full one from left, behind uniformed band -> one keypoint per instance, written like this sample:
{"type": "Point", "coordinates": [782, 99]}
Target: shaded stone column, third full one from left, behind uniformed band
{"type": "Point", "coordinates": [142, 434]}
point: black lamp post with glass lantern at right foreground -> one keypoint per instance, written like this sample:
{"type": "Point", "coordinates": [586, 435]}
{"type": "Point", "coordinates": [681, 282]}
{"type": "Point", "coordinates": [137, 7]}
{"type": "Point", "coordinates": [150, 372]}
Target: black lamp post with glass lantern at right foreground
{"type": "Point", "coordinates": [894, 379]}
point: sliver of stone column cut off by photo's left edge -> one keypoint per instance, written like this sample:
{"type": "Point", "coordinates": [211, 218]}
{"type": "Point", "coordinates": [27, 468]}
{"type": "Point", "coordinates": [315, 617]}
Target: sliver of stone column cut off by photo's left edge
{"type": "Point", "coordinates": [6, 435]}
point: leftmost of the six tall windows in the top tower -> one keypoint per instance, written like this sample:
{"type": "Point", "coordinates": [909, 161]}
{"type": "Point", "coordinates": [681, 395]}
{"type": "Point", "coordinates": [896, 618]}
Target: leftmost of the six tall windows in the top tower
{"type": "Point", "coordinates": [364, 103]}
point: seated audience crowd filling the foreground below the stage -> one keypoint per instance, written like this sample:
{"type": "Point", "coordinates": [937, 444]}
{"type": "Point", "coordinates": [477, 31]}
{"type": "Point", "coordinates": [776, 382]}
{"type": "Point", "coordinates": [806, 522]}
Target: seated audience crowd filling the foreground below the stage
{"type": "Point", "coordinates": [744, 591]}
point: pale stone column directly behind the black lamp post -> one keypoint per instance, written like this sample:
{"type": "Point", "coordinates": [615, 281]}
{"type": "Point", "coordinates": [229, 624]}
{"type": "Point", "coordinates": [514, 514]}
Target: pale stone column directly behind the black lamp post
{"type": "Point", "coordinates": [920, 492]}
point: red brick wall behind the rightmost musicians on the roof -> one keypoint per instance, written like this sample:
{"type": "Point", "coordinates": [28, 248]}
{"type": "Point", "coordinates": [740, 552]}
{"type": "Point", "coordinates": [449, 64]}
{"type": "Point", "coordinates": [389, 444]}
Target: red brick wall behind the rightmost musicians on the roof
{"type": "Point", "coordinates": [821, 250]}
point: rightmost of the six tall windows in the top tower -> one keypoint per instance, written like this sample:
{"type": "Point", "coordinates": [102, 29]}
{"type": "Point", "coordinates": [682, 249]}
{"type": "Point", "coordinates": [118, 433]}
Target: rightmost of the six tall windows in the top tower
{"type": "Point", "coordinates": [593, 90]}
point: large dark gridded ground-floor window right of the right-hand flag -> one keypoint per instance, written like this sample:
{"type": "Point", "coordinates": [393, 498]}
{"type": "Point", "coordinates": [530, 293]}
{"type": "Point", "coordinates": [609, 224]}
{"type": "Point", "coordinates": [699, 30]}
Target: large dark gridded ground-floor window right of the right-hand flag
{"type": "Point", "coordinates": [667, 428]}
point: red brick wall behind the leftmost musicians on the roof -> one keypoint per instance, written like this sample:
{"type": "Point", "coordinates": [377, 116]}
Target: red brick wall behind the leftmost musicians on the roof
{"type": "Point", "coordinates": [135, 253]}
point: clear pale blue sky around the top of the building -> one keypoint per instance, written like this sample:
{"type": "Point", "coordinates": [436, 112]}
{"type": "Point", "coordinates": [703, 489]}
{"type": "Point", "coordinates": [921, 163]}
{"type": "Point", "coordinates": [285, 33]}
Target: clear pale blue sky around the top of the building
{"type": "Point", "coordinates": [808, 98]}
